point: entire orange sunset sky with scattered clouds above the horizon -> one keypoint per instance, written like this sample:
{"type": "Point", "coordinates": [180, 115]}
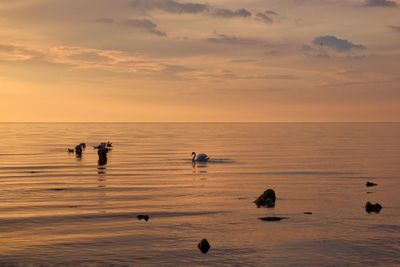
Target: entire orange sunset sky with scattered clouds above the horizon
{"type": "Point", "coordinates": [199, 61]}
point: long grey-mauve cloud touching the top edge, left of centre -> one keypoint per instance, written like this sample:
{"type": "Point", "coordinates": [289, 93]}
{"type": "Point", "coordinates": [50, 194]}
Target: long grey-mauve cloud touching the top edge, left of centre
{"type": "Point", "coordinates": [169, 6]}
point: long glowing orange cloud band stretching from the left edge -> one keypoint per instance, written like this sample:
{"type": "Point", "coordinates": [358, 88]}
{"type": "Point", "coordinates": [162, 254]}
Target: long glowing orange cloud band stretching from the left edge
{"type": "Point", "coordinates": [75, 57]}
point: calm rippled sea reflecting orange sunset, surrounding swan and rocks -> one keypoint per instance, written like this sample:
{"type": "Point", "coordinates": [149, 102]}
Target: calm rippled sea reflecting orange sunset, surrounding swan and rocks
{"type": "Point", "coordinates": [56, 209]}
